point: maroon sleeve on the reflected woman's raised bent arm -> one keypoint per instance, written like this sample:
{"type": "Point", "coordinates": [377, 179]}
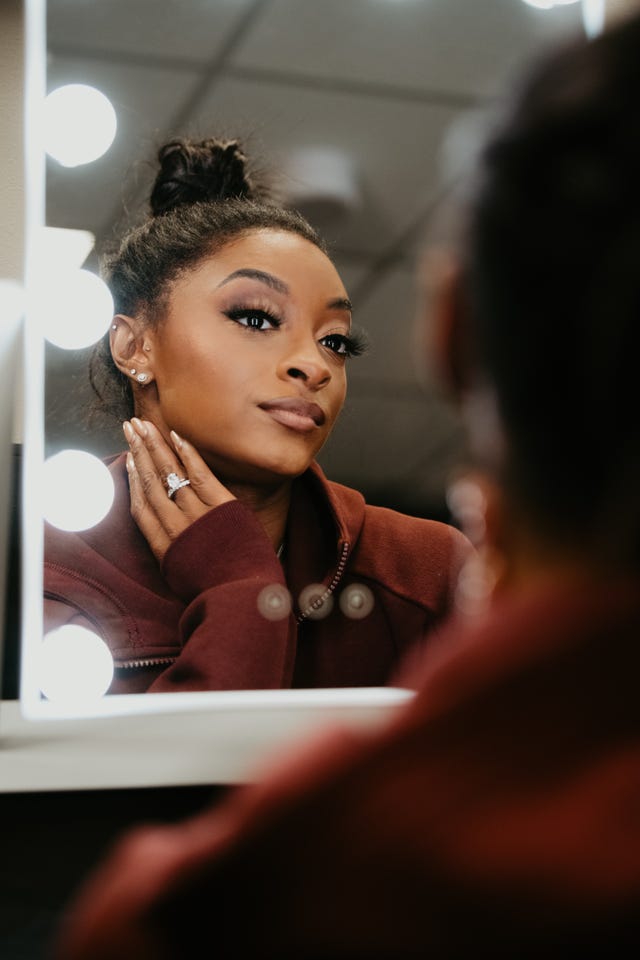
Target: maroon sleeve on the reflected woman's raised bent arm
{"type": "Point", "coordinates": [237, 631]}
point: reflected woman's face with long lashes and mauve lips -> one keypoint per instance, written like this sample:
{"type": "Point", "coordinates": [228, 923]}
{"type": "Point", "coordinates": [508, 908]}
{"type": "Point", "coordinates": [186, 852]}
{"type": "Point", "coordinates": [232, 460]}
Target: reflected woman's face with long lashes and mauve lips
{"type": "Point", "coordinates": [249, 361]}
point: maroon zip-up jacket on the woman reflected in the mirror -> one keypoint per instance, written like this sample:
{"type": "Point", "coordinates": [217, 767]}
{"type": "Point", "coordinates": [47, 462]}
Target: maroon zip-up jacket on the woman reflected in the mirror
{"type": "Point", "coordinates": [195, 623]}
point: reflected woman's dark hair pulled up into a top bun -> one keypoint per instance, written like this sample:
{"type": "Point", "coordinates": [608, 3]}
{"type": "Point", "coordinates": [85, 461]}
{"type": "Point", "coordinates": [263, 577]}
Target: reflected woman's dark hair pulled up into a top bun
{"type": "Point", "coordinates": [203, 197]}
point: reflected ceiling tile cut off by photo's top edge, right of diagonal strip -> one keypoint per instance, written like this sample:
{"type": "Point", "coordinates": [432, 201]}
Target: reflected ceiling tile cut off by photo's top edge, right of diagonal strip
{"type": "Point", "coordinates": [461, 47]}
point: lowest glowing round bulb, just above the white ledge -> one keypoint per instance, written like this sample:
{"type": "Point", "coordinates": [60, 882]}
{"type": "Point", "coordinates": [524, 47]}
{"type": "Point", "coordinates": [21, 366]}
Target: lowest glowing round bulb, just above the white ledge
{"type": "Point", "coordinates": [74, 665]}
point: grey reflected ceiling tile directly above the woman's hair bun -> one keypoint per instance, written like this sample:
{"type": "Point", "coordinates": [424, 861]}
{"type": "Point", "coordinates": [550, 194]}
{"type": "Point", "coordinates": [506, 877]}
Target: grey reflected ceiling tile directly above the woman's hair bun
{"type": "Point", "coordinates": [393, 146]}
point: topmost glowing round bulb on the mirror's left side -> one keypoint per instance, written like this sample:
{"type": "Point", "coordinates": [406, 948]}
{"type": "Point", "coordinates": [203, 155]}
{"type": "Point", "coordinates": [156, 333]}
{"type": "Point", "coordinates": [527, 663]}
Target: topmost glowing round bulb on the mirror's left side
{"type": "Point", "coordinates": [79, 124]}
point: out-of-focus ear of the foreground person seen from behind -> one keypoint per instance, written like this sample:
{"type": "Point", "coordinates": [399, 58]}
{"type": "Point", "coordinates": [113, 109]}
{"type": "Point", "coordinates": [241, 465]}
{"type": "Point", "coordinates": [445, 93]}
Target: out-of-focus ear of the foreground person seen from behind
{"type": "Point", "coordinates": [449, 319]}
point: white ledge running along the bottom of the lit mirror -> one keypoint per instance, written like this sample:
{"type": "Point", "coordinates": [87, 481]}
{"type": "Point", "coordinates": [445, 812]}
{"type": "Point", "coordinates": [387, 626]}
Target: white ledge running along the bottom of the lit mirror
{"type": "Point", "coordinates": [175, 739]}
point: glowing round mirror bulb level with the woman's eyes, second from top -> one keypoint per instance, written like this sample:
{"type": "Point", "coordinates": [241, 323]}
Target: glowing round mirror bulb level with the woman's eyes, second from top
{"type": "Point", "coordinates": [74, 307]}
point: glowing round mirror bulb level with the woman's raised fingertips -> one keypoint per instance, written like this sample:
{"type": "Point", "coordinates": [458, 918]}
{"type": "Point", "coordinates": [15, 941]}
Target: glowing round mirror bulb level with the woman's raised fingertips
{"type": "Point", "coordinates": [78, 490]}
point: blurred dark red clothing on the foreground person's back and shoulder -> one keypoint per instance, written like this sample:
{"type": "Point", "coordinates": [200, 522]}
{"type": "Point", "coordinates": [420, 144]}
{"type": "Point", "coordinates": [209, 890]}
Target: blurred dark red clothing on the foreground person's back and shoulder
{"type": "Point", "coordinates": [499, 814]}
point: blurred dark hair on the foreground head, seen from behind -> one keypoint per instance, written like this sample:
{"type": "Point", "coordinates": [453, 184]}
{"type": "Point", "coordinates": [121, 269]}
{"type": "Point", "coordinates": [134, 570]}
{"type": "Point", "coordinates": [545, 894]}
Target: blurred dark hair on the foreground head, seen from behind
{"type": "Point", "coordinates": [553, 288]}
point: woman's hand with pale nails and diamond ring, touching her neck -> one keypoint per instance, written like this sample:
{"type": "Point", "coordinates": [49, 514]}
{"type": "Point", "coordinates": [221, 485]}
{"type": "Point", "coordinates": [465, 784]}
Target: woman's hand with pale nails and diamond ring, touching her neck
{"type": "Point", "coordinates": [149, 461]}
